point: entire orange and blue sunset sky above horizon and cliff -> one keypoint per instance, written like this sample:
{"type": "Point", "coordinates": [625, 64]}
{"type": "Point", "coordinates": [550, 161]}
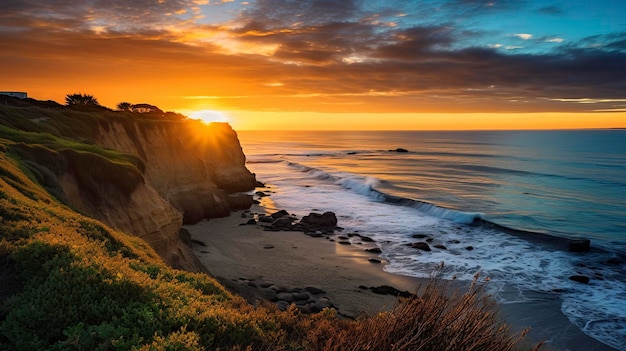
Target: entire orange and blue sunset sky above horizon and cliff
{"type": "Point", "coordinates": [329, 64]}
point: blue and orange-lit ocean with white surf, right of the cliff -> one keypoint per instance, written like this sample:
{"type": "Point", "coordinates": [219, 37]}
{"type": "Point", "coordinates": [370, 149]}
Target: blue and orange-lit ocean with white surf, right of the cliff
{"type": "Point", "coordinates": [502, 193]}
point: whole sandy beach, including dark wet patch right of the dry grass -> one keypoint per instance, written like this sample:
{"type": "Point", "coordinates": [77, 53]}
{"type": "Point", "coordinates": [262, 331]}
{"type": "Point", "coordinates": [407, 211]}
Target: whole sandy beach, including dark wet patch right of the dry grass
{"type": "Point", "coordinates": [242, 256]}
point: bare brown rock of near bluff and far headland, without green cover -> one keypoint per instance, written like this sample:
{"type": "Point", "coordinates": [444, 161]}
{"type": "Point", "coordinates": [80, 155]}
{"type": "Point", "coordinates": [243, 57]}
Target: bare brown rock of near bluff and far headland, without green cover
{"type": "Point", "coordinates": [190, 171]}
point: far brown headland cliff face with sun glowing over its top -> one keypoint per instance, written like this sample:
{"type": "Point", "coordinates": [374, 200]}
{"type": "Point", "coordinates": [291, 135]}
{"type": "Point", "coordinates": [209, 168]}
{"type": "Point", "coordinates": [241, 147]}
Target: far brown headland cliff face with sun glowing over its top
{"type": "Point", "coordinates": [194, 166]}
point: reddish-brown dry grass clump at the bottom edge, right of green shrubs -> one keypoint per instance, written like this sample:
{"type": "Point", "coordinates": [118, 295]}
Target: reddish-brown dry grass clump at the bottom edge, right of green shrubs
{"type": "Point", "coordinates": [434, 320]}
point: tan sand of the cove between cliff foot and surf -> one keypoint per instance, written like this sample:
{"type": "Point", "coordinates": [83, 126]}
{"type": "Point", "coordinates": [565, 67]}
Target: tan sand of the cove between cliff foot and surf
{"type": "Point", "coordinates": [239, 254]}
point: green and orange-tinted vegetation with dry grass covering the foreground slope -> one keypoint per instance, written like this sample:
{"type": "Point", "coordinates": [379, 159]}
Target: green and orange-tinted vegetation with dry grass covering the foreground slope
{"type": "Point", "coordinates": [70, 282]}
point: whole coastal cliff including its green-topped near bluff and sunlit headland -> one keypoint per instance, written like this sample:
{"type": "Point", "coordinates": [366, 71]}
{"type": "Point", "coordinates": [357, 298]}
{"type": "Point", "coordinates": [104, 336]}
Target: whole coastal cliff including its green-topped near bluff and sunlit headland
{"type": "Point", "coordinates": [144, 176]}
